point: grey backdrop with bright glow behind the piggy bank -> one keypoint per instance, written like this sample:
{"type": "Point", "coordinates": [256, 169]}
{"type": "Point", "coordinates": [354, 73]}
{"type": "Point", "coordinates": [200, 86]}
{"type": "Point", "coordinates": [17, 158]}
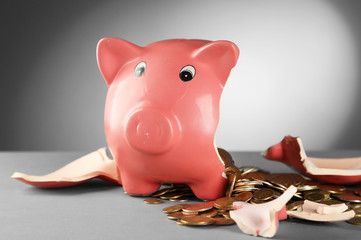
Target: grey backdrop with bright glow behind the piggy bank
{"type": "Point", "coordinates": [52, 94]}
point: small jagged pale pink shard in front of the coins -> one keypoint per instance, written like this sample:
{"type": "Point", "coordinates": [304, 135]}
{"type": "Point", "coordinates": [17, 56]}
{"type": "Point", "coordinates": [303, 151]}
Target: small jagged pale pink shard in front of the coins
{"type": "Point", "coordinates": [262, 219]}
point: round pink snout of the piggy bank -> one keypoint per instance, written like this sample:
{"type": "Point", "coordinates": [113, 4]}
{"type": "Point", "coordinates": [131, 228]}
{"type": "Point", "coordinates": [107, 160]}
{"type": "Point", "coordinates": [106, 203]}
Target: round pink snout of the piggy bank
{"type": "Point", "coordinates": [150, 131]}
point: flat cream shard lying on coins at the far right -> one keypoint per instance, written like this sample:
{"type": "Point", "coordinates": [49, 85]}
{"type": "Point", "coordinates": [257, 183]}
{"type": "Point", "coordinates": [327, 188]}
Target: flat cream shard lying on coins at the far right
{"type": "Point", "coordinates": [318, 212]}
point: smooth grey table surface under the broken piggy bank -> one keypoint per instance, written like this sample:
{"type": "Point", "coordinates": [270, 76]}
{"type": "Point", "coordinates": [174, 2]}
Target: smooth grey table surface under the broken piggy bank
{"type": "Point", "coordinates": [101, 210]}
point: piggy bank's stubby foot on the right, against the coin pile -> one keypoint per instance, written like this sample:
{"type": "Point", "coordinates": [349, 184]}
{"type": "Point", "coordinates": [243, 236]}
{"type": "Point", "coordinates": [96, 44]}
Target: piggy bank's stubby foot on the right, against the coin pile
{"type": "Point", "coordinates": [209, 189]}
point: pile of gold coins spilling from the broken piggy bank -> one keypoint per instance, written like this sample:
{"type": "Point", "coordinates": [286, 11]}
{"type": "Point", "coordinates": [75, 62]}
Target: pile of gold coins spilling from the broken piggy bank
{"type": "Point", "coordinates": [250, 184]}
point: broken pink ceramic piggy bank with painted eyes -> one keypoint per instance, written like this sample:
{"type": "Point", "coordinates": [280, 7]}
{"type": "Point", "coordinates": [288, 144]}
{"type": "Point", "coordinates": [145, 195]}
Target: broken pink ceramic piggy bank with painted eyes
{"type": "Point", "coordinates": [162, 111]}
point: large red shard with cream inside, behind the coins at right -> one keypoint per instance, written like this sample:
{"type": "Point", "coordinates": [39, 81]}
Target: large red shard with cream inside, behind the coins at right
{"type": "Point", "coordinates": [339, 171]}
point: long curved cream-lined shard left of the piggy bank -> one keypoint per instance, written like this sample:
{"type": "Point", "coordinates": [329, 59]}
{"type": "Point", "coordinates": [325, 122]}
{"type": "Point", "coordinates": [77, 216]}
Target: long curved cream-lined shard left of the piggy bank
{"type": "Point", "coordinates": [93, 165]}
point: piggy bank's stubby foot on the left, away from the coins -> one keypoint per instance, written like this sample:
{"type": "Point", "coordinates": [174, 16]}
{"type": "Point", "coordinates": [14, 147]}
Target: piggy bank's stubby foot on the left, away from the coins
{"type": "Point", "coordinates": [136, 186]}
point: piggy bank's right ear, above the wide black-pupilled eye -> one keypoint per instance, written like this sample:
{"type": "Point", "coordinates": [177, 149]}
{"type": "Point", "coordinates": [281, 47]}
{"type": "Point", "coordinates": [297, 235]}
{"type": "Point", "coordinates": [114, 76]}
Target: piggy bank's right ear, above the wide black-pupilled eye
{"type": "Point", "coordinates": [222, 55]}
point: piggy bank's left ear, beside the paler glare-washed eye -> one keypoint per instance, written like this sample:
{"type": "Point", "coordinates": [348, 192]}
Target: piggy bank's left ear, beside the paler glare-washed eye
{"type": "Point", "coordinates": [112, 54]}
